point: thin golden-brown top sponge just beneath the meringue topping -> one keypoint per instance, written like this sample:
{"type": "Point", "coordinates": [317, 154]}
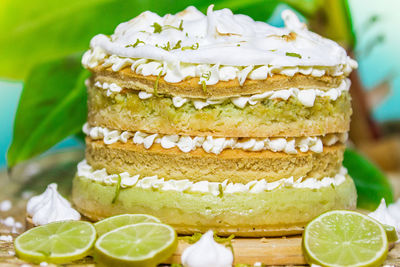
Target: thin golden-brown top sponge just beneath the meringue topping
{"type": "Point", "coordinates": [191, 87]}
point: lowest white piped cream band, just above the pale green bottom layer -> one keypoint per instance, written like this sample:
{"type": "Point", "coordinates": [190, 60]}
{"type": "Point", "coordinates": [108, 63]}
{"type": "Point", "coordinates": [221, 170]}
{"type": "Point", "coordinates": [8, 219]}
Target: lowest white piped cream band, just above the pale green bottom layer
{"type": "Point", "coordinates": [214, 188]}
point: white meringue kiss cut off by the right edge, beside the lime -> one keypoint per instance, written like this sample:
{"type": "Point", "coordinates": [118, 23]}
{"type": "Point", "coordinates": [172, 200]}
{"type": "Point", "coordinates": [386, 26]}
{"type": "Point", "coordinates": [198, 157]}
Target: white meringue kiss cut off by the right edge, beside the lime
{"type": "Point", "coordinates": [388, 215]}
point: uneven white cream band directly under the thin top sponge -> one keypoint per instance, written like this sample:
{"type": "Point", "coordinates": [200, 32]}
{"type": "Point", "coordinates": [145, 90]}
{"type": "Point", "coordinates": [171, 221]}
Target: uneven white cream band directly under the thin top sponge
{"type": "Point", "coordinates": [305, 96]}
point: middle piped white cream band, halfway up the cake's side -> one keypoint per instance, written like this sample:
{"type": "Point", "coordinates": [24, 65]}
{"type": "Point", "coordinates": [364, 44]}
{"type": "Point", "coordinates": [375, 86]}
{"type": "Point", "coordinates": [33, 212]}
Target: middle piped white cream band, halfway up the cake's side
{"type": "Point", "coordinates": [215, 144]}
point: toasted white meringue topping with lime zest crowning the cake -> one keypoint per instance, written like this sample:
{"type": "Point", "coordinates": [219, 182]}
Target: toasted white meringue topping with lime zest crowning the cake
{"type": "Point", "coordinates": [219, 46]}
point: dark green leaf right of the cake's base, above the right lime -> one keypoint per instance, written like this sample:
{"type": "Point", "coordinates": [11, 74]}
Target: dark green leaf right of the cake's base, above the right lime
{"type": "Point", "coordinates": [371, 183]}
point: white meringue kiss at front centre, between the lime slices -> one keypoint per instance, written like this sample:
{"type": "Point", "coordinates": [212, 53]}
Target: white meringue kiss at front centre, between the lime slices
{"type": "Point", "coordinates": [206, 252]}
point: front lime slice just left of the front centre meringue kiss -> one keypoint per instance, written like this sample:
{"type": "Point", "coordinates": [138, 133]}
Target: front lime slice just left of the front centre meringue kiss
{"type": "Point", "coordinates": [144, 244]}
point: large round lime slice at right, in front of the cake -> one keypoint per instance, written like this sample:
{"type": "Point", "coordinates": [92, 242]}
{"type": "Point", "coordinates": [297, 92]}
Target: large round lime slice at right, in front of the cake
{"type": "Point", "coordinates": [345, 238]}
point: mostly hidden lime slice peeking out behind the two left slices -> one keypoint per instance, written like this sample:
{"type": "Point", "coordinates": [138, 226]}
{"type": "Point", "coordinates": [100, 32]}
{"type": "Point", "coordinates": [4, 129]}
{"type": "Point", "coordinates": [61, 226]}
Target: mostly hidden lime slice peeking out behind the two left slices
{"type": "Point", "coordinates": [117, 221]}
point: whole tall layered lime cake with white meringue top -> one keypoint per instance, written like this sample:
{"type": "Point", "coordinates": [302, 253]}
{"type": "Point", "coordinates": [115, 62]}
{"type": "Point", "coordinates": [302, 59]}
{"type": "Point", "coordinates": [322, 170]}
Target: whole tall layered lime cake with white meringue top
{"type": "Point", "coordinates": [216, 122]}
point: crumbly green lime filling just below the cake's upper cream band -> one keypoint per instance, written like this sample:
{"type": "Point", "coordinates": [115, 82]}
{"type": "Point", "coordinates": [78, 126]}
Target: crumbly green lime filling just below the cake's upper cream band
{"type": "Point", "coordinates": [265, 112]}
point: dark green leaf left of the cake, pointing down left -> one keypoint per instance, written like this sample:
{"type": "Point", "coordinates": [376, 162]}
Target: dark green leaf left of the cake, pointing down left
{"type": "Point", "coordinates": [52, 107]}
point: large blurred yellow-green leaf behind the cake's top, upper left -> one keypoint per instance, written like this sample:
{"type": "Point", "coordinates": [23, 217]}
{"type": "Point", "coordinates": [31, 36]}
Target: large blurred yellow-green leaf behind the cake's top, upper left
{"type": "Point", "coordinates": [38, 31]}
